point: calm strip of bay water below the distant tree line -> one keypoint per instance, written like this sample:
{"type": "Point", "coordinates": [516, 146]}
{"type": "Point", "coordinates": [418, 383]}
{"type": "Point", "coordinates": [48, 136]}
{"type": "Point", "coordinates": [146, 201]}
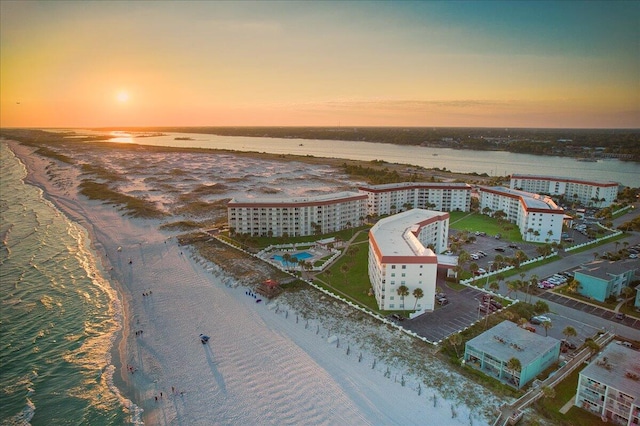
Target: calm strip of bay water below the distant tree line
{"type": "Point", "coordinates": [493, 163]}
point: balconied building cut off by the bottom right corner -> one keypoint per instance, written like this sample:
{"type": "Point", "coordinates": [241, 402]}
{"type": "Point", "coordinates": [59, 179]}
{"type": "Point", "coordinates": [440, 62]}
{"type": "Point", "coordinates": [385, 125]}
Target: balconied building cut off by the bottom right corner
{"type": "Point", "coordinates": [609, 386]}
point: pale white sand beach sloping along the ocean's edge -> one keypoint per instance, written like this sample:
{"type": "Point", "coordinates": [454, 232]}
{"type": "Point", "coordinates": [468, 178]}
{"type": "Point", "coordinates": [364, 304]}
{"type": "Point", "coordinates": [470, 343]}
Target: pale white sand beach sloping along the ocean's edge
{"type": "Point", "coordinates": [264, 363]}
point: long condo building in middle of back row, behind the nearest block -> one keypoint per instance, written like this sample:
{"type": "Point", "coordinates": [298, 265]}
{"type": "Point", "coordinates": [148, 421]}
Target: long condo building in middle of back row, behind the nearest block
{"type": "Point", "coordinates": [395, 197]}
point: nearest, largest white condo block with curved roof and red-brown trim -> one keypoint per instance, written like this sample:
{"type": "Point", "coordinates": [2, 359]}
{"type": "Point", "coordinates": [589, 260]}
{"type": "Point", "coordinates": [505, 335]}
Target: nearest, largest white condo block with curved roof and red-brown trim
{"type": "Point", "coordinates": [399, 254]}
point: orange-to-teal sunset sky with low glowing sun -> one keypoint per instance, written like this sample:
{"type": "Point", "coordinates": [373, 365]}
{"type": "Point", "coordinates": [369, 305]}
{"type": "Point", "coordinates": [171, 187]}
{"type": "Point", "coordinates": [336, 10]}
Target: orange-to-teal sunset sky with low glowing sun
{"type": "Point", "coordinates": [567, 64]}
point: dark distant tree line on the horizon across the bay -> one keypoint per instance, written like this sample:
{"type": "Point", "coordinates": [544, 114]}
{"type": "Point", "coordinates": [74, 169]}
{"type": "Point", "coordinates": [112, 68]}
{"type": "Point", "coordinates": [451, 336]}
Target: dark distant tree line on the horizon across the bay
{"type": "Point", "coordinates": [623, 143]}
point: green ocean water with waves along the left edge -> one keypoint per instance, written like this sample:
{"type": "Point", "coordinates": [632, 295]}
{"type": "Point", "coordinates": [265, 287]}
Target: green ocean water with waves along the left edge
{"type": "Point", "coordinates": [59, 317]}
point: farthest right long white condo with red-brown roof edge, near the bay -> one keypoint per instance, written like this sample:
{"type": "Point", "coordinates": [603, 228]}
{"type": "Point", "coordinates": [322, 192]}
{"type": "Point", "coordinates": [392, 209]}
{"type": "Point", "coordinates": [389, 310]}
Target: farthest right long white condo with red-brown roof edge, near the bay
{"type": "Point", "coordinates": [597, 194]}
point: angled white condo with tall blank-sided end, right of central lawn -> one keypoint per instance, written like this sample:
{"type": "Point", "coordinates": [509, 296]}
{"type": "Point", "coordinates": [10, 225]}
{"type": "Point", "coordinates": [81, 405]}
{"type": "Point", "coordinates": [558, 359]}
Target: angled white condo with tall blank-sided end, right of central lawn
{"type": "Point", "coordinates": [538, 217]}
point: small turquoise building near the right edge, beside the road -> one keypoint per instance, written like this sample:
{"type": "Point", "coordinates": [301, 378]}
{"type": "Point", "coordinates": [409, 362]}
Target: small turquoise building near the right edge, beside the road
{"type": "Point", "coordinates": [602, 279]}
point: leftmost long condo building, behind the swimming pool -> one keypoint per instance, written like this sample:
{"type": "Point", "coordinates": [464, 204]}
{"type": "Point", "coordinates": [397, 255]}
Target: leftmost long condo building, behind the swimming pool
{"type": "Point", "coordinates": [295, 217]}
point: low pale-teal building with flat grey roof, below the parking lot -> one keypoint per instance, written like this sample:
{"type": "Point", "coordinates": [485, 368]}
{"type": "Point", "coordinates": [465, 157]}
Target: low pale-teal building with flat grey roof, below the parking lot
{"type": "Point", "coordinates": [492, 351]}
